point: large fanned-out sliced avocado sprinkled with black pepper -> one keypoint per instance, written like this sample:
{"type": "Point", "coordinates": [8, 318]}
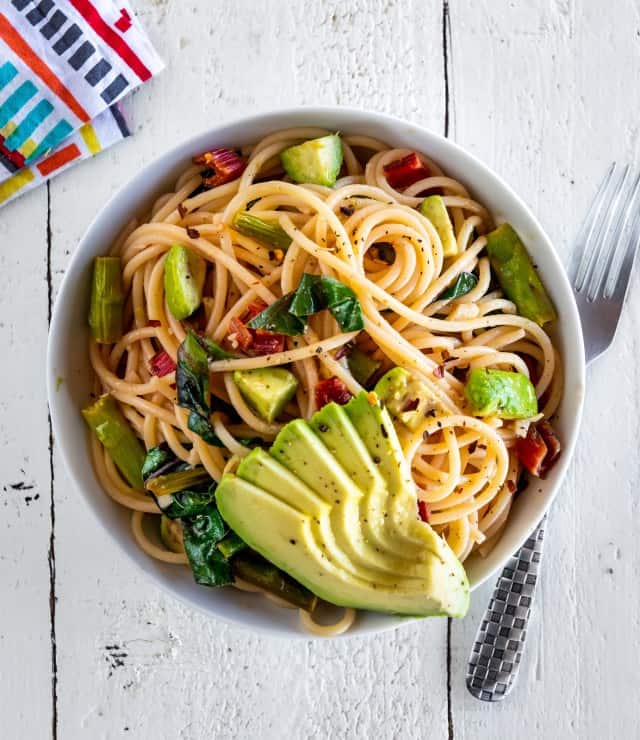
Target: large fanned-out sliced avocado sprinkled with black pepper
{"type": "Point", "coordinates": [309, 520]}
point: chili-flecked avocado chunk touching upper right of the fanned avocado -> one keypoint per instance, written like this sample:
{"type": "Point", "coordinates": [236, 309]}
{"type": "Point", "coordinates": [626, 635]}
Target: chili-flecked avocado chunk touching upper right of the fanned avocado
{"type": "Point", "coordinates": [408, 399]}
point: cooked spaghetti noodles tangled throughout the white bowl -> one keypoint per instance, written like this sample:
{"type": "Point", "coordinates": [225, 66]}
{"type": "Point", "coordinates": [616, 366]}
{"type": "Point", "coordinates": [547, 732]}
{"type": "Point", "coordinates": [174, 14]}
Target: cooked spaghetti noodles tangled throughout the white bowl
{"type": "Point", "coordinates": [465, 468]}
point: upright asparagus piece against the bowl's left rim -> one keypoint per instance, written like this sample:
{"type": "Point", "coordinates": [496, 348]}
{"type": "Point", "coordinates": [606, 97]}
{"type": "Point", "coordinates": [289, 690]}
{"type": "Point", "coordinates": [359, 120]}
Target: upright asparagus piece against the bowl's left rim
{"type": "Point", "coordinates": [107, 300]}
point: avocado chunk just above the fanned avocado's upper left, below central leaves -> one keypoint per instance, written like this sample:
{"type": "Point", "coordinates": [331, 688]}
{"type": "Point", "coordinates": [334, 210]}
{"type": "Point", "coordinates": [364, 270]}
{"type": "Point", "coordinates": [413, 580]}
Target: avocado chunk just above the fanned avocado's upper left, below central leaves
{"type": "Point", "coordinates": [267, 389]}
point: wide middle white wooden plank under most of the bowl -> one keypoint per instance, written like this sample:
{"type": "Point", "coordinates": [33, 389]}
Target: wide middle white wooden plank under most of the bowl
{"type": "Point", "coordinates": [133, 662]}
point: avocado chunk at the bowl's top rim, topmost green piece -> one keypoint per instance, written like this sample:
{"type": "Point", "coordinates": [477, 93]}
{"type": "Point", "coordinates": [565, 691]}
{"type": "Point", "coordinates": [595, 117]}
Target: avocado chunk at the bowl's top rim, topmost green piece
{"type": "Point", "coordinates": [316, 161]}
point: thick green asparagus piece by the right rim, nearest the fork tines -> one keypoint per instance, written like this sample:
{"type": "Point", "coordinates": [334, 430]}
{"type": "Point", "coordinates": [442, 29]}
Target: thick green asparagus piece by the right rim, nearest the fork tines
{"type": "Point", "coordinates": [517, 276]}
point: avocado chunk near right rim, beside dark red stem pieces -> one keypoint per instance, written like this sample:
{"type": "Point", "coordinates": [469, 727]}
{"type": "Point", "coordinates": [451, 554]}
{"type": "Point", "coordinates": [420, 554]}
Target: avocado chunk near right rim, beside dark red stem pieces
{"type": "Point", "coordinates": [501, 393]}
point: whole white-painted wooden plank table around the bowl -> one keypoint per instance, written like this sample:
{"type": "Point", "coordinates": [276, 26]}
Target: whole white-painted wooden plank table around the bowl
{"type": "Point", "coordinates": [546, 92]}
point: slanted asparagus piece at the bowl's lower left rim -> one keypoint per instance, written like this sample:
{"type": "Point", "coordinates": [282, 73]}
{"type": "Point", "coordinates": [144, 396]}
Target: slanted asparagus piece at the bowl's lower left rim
{"type": "Point", "coordinates": [112, 429]}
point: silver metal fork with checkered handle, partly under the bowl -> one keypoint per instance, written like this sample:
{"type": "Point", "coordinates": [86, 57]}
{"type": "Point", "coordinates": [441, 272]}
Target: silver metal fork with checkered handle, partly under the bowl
{"type": "Point", "coordinates": [601, 264]}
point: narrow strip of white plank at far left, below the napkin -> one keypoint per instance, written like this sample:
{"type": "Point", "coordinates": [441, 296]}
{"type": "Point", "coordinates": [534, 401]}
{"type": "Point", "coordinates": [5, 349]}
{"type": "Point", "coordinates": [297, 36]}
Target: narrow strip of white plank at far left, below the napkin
{"type": "Point", "coordinates": [25, 491]}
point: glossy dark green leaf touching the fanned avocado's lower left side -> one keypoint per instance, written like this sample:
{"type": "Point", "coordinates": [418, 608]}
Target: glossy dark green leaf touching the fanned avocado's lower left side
{"type": "Point", "coordinates": [202, 533]}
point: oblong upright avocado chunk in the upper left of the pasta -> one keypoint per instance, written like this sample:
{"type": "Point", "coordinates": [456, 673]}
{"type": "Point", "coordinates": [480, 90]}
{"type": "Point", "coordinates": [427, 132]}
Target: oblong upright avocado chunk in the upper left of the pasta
{"type": "Point", "coordinates": [184, 274]}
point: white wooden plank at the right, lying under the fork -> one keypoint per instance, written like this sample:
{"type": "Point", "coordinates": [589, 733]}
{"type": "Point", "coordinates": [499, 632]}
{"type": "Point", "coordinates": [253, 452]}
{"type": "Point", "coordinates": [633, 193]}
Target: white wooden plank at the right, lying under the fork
{"type": "Point", "coordinates": [541, 94]}
